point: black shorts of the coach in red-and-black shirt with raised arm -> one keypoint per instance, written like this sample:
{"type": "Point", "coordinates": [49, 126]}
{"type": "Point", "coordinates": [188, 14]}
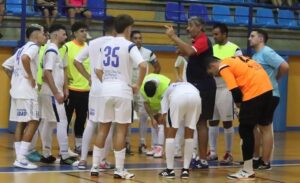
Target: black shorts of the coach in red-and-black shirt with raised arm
{"type": "Point", "coordinates": [207, 90]}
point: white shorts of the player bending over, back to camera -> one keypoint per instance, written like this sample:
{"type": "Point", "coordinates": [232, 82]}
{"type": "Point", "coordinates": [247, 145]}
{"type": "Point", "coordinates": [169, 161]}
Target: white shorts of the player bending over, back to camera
{"type": "Point", "coordinates": [184, 111]}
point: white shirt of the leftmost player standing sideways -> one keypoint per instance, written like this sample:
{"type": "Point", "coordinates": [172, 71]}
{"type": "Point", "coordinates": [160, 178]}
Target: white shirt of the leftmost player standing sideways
{"type": "Point", "coordinates": [20, 86]}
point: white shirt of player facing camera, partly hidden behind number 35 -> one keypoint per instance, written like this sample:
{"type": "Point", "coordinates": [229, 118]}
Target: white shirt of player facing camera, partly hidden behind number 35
{"type": "Point", "coordinates": [149, 57]}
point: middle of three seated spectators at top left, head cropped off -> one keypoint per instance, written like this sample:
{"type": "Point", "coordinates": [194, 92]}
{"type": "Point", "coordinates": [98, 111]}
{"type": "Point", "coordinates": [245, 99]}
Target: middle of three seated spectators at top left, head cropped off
{"type": "Point", "coordinates": [49, 10]}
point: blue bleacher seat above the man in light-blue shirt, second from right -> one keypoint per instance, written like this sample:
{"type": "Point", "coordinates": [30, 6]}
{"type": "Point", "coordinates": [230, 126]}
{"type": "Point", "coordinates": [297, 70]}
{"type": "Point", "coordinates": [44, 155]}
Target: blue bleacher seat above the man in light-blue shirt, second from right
{"type": "Point", "coordinates": [265, 17]}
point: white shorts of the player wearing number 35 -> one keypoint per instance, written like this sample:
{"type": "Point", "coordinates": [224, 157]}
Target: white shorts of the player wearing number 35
{"type": "Point", "coordinates": [115, 109]}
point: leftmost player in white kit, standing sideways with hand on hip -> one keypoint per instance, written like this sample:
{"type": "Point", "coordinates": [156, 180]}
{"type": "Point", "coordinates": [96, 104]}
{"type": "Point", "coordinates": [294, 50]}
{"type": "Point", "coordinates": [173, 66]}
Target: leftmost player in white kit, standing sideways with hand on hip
{"type": "Point", "coordinates": [24, 95]}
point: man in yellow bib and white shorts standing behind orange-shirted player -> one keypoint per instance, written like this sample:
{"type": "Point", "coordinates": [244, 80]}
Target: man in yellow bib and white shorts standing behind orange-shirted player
{"type": "Point", "coordinates": [224, 102]}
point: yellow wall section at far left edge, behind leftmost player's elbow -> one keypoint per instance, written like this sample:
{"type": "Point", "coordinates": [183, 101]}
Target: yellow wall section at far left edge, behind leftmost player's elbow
{"type": "Point", "coordinates": [4, 91]}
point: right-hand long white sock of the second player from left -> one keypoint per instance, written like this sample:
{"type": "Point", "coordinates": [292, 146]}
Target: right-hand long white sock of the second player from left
{"type": "Point", "coordinates": [62, 138]}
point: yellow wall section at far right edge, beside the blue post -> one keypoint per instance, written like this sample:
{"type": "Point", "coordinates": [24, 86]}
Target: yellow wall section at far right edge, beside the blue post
{"type": "Point", "coordinates": [293, 98]}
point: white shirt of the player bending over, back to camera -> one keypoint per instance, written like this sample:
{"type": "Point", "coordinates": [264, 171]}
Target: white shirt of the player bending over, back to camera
{"type": "Point", "coordinates": [176, 89]}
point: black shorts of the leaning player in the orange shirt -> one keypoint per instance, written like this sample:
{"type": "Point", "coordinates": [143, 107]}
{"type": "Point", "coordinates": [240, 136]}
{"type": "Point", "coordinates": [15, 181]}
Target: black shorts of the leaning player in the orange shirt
{"type": "Point", "coordinates": [258, 110]}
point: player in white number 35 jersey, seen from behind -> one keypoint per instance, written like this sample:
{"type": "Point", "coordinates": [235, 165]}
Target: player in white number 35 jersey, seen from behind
{"type": "Point", "coordinates": [114, 69]}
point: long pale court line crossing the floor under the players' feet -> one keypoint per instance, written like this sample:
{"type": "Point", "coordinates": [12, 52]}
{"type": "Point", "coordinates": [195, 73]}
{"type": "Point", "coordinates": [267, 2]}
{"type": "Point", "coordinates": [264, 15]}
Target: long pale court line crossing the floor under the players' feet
{"type": "Point", "coordinates": [135, 169]}
